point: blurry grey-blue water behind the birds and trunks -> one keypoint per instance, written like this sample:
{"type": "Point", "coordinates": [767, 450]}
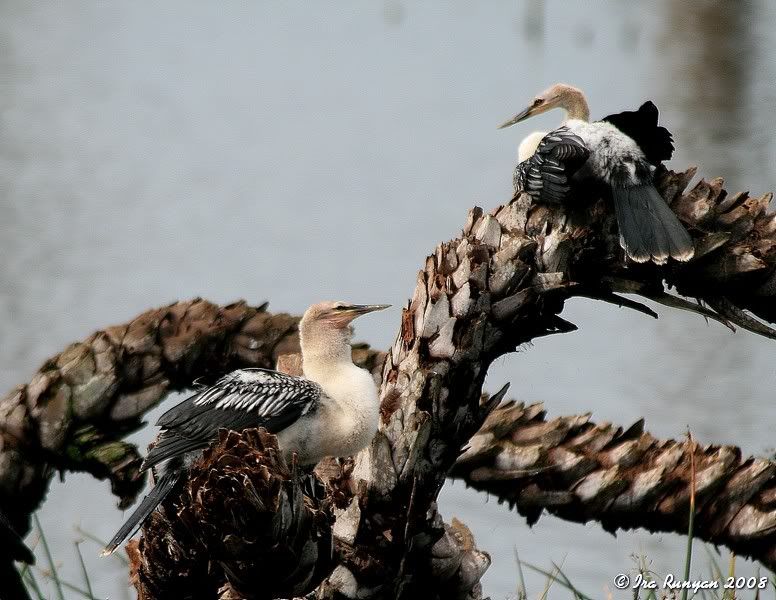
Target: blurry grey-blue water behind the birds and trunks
{"type": "Point", "coordinates": [293, 151]}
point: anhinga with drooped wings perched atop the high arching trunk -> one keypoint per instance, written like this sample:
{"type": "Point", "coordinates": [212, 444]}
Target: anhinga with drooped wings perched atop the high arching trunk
{"type": "Point", "coordinates": [621, 152]}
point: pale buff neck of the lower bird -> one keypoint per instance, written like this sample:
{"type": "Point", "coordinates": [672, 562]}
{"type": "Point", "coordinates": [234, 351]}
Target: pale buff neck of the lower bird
{"type": "Point", "coordinates": [325, 349]}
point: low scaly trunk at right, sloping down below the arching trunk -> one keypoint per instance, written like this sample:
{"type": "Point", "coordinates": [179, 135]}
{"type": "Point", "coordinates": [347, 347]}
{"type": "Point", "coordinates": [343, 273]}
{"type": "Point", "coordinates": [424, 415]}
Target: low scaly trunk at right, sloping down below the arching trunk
{"type": "Point", "coordinates": [623, 478]}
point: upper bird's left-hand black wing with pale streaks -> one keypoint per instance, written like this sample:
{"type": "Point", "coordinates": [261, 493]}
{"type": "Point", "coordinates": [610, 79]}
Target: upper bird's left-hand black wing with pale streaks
{"type": "Point", "coordinates": [546, 176]}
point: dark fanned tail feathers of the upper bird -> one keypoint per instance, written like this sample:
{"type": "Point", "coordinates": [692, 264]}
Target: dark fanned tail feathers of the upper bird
{"type": "Point", "coordinates": [649, 229]}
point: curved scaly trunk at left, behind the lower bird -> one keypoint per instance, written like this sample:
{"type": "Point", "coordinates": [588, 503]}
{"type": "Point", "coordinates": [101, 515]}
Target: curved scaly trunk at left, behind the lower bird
{"type": "Point", "coordinates": [75, 410]}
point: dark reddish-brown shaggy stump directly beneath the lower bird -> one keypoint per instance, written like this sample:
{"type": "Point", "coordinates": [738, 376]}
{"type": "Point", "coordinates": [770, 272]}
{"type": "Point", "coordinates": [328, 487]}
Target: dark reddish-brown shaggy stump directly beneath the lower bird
{"type": "Point", "coordinates": [240, 527]}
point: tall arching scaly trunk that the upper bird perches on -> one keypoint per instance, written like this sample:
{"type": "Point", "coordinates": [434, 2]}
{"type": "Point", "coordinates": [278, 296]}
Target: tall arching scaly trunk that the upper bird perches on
{"type": "Point", "coordinates": [501, 284]}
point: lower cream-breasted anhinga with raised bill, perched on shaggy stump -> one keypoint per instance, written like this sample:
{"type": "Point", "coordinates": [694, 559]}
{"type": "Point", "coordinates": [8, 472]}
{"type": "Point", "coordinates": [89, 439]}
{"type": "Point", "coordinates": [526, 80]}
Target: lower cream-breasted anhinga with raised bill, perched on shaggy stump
{"type": "Point", "coordinates": [330, 412]}
